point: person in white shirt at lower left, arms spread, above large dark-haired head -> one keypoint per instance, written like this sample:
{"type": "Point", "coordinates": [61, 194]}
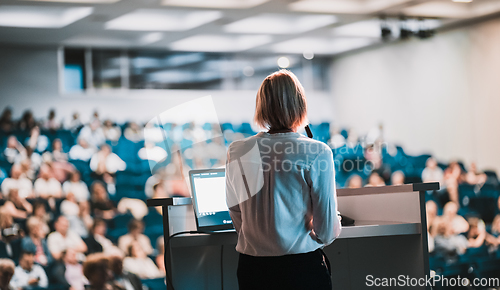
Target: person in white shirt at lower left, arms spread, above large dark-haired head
{"type": "Point", "coordinates": [63, 238]}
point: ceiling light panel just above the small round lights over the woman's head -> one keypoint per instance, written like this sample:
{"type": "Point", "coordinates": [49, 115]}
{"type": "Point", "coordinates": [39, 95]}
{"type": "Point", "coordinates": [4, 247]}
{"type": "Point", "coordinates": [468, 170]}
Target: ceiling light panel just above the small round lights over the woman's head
{"type": "Point", "coordinates": [325, 46]}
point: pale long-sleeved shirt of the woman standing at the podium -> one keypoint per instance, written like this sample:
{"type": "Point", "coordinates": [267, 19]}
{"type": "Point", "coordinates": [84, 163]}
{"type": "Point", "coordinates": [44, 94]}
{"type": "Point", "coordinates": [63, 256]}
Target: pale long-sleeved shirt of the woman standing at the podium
{"type": "Point", "coordinates": [281, 194]}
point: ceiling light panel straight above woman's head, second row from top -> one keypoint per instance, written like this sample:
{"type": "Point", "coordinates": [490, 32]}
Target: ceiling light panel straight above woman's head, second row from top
{"type": "Point", "coordinates": [280, 23]}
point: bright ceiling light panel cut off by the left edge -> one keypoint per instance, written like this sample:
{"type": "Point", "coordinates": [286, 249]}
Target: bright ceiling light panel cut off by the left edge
{"type": "Point", "coordinates": [40, 16]}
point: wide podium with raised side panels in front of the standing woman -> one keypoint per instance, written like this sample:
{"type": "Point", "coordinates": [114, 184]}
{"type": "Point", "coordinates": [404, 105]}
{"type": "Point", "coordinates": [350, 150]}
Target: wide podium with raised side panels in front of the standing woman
{"type": "Point", "coordinates": [388, 240]}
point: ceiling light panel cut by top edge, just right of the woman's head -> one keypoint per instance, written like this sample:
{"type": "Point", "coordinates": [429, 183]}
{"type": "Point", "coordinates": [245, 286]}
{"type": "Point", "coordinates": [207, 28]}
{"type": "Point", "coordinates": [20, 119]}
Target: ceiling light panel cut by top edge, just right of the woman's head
{"type": "Point", "coordinates": [343, 6]}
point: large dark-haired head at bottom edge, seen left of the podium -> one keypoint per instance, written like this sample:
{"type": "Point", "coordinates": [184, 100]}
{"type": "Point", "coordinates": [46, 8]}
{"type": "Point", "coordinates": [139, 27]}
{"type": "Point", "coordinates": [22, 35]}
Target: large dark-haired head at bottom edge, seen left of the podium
{"type": "Point", "coordinates": [96, 269]}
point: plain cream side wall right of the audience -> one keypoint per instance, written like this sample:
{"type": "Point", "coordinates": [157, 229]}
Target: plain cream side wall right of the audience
{"type": "Point", "coordinates": [439, 95]}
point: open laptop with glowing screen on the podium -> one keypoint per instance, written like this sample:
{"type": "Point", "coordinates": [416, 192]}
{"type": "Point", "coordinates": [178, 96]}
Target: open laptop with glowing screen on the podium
{"type": "Point", "coordinates": [208, 190]}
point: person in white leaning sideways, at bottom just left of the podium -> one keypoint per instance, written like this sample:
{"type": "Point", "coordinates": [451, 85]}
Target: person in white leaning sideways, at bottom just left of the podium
{"type": "Point", "coordinates": [139, 263]}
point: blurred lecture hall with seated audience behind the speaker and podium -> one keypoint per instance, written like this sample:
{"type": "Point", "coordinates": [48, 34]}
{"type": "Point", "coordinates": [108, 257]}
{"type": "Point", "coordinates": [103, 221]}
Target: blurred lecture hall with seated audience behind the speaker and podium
{"type": "Point", "coordinates": [403, 91]}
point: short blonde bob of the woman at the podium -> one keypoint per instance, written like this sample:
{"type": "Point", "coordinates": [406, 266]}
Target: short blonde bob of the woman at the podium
{"type": "Point", "coordinates": [281, 102]}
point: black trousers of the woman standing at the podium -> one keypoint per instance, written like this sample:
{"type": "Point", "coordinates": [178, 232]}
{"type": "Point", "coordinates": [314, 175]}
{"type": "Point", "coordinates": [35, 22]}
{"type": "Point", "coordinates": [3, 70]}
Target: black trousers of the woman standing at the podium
{"type": "Point", "coordinates": [290, 272]}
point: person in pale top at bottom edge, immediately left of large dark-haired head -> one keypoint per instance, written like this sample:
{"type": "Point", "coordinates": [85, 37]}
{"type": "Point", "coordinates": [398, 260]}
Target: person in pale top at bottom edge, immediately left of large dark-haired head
{"type": "Point", "coordinates": [68, 271]}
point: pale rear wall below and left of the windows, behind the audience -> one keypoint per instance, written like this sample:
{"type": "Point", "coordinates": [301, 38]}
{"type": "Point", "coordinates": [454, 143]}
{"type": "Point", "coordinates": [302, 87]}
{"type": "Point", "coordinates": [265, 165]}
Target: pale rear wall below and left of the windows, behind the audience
{"type": "Point", "coordinates": [29, 80]}
